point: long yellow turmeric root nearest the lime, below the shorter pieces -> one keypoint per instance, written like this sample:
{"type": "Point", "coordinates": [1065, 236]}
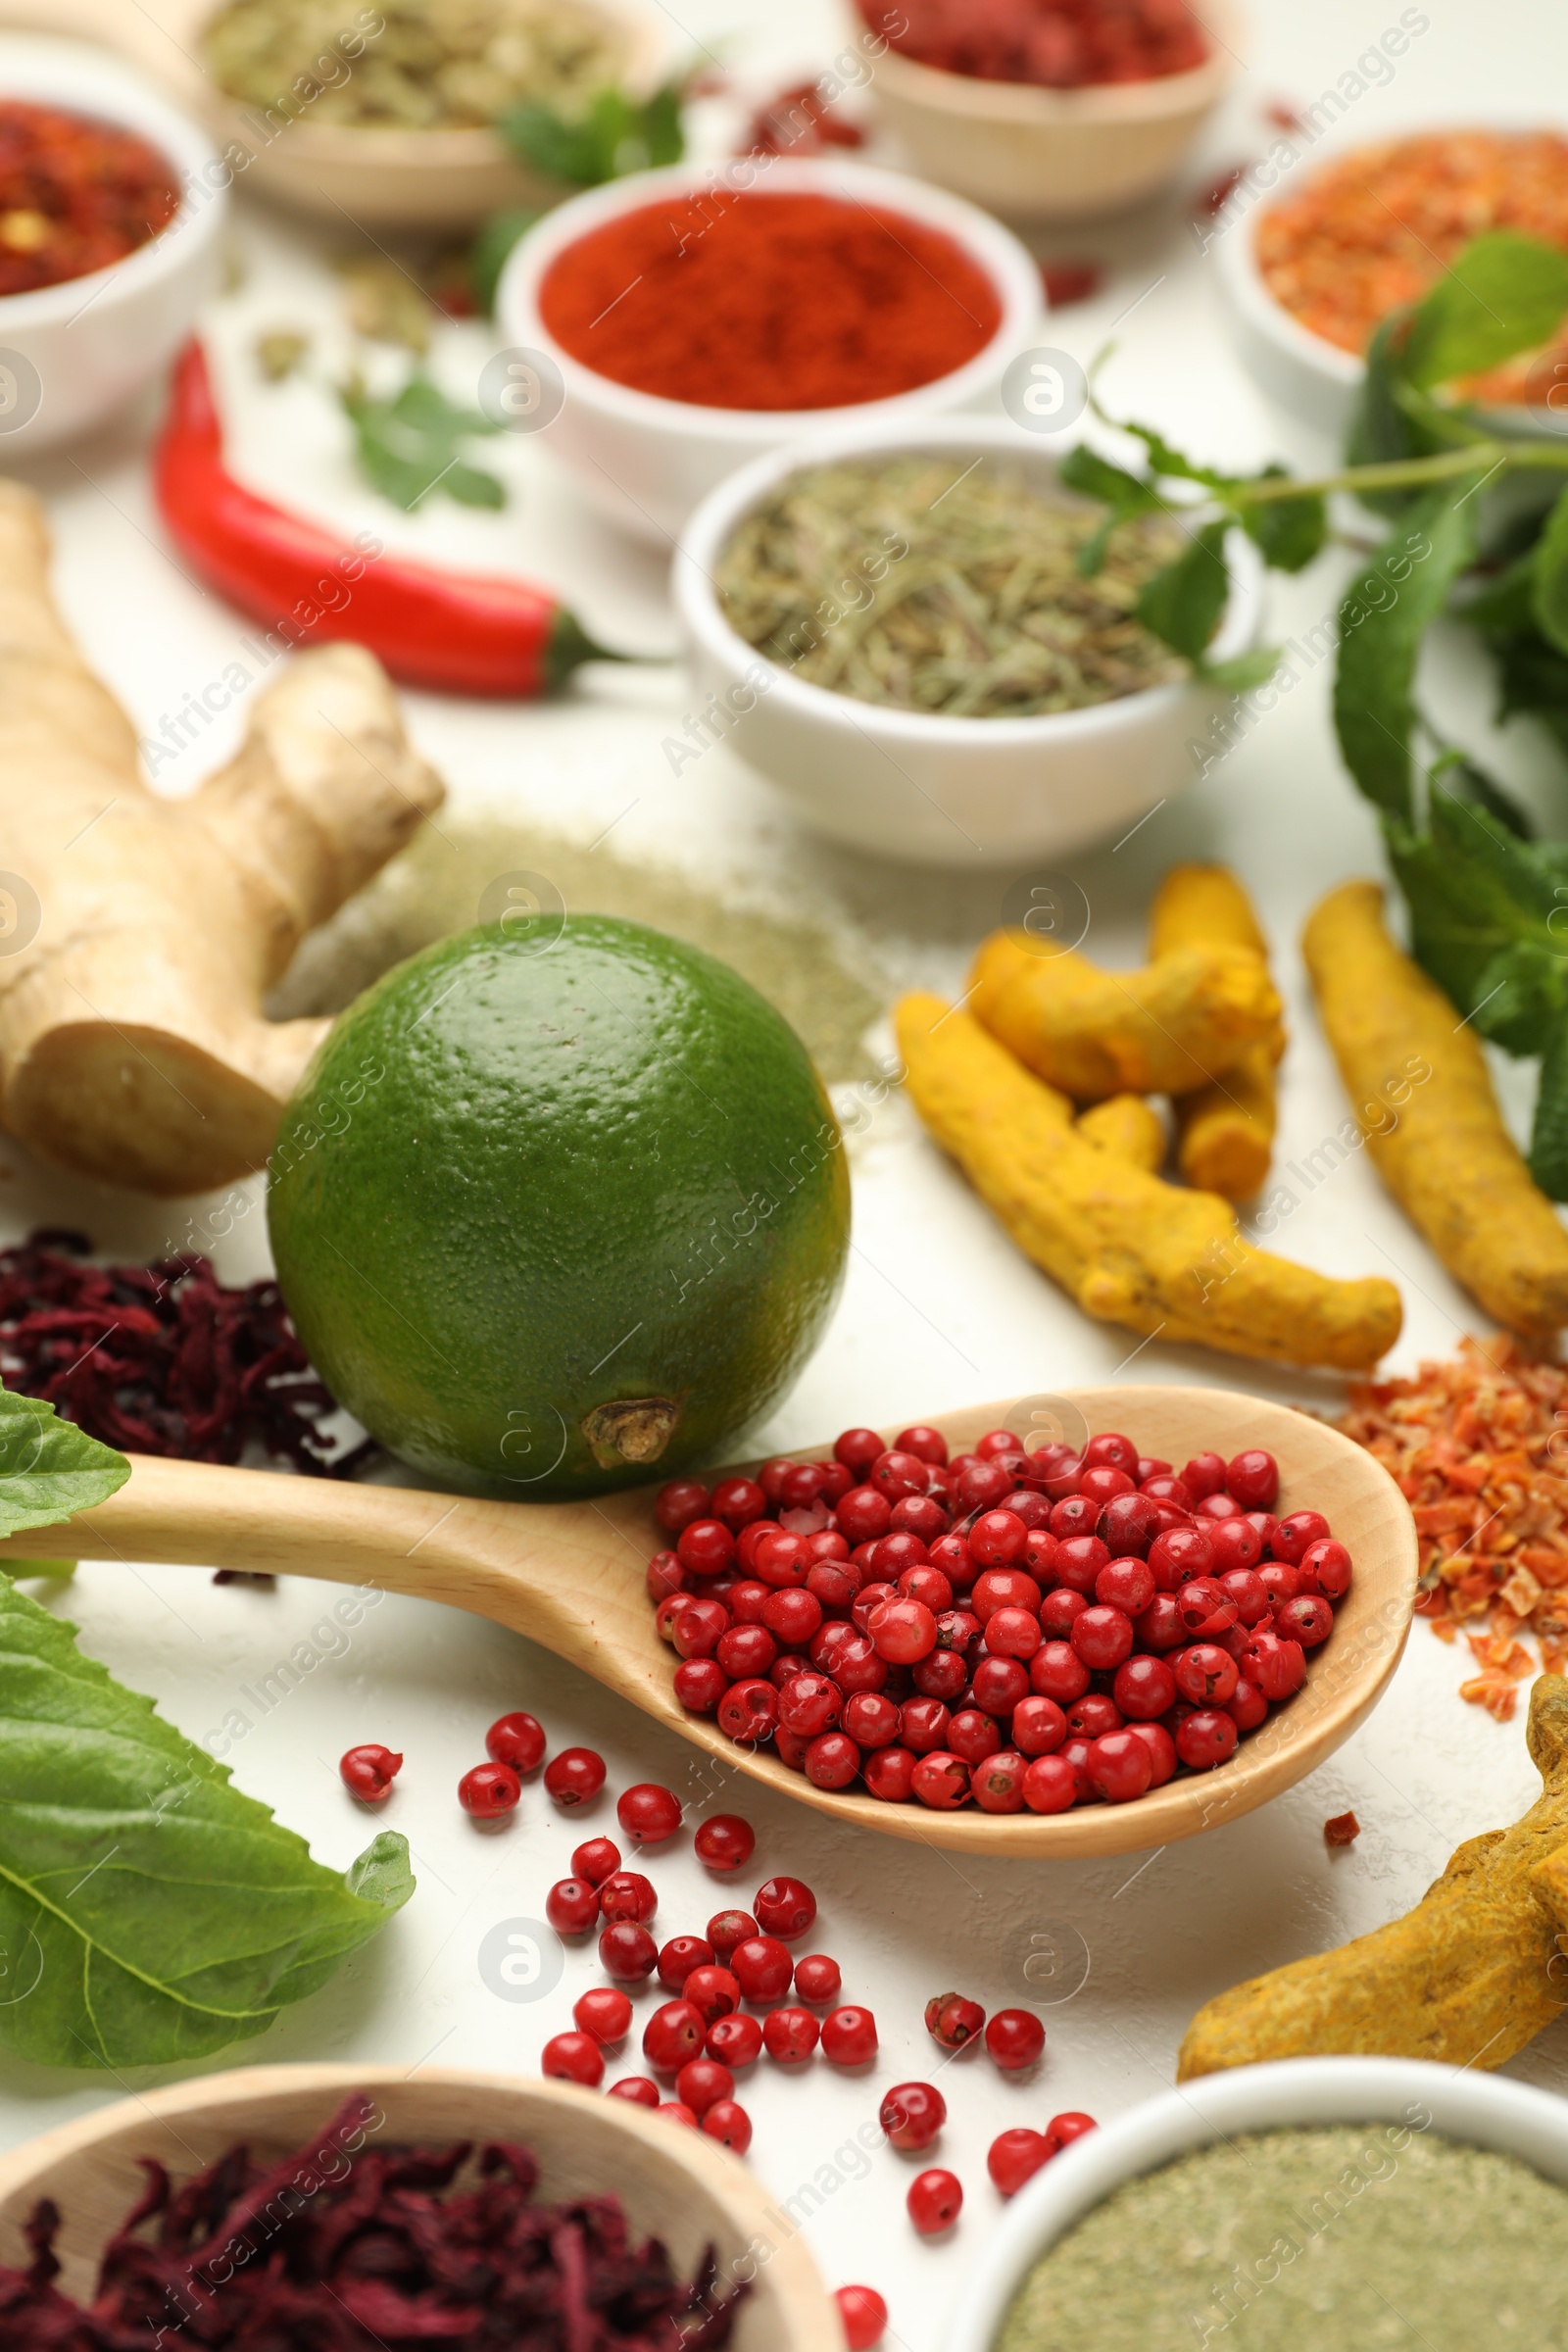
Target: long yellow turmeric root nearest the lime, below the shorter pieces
{"type": "Point", "coordinates": [1130, 1248]}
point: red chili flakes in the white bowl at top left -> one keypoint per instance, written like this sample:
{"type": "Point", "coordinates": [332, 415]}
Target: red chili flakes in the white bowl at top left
{"type": "Point", "coordinates": [74, 196]}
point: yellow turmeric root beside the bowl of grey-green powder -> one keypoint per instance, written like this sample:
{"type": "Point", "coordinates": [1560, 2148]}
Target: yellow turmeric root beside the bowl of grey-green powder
{"type": "Point", "coordinates": [1466, 1979]}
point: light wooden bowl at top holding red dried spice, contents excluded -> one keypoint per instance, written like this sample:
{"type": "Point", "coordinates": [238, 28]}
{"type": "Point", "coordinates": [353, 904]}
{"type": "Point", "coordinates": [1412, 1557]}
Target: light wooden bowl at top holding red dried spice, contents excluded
{"type": "Point", "coordinates": [1057, 154]}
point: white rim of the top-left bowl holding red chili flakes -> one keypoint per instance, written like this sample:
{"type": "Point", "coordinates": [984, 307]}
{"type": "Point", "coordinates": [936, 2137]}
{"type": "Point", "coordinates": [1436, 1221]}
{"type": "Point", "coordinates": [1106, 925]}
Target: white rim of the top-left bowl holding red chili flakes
{"type": "Point", "coordinates": [100, 86]}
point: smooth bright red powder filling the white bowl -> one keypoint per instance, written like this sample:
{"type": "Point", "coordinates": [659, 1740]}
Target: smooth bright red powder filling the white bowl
{"type": "Point", "coordinates": [770, 302]}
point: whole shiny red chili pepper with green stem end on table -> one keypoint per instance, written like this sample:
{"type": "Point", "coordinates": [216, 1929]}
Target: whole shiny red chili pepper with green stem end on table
{"type": "Point", "coordinates": [450, 632]}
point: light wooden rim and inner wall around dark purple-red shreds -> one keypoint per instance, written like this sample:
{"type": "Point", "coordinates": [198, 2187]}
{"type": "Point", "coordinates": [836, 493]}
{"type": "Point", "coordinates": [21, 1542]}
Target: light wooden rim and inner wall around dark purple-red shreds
{"type": "Point", "coordinates": [674, 2181]}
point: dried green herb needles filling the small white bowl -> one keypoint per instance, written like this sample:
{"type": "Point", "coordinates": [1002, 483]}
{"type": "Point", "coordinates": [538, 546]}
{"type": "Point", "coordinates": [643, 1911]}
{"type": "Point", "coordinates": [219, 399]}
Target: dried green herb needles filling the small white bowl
{"type": "Point", "coordinates": [909, 584]}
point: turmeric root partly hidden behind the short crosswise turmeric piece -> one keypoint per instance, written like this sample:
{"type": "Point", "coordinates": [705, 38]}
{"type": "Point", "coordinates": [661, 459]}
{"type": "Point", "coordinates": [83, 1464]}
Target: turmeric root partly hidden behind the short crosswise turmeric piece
{"type": "Point", "coordinates": [1224, 1130]}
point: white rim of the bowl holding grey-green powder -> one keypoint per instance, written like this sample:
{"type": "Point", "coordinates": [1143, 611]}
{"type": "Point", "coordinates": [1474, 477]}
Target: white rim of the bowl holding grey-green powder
{"type": "Point", "coordinates": [1485, 2111]}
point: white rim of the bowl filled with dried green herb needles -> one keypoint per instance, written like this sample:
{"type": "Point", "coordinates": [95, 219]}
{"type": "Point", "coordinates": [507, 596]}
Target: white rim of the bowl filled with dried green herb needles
{"type": "Point", "coordinates": [725, 507]}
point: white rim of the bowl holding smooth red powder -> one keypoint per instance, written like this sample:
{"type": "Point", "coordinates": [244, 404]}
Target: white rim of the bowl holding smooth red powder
{"type": "Point", "coordinates": [984, 239]}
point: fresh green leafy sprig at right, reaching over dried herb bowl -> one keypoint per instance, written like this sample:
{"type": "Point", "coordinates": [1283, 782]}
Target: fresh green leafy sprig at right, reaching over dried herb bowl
{"type": "Point", "coordinates": [1489, 904]}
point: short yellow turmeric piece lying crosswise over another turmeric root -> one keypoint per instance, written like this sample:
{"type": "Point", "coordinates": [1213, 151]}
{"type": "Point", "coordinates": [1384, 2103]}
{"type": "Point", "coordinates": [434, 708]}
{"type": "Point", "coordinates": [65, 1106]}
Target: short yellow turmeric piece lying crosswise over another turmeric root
{"type": "Point", "coordinates": [1160, 1031]}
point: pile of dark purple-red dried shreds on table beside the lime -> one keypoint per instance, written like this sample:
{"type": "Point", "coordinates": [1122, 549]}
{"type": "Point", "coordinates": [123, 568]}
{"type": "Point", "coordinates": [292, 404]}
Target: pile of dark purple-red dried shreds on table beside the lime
{"type": "Point", "coordinates": [163, 1358]}
